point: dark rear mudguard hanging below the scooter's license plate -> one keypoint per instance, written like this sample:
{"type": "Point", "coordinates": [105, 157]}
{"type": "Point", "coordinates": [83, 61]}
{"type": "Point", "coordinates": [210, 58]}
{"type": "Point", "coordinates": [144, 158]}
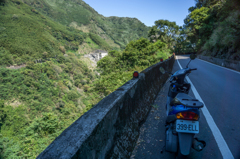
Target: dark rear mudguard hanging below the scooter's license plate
{"type": "Point", "coordinates": [185, 142]}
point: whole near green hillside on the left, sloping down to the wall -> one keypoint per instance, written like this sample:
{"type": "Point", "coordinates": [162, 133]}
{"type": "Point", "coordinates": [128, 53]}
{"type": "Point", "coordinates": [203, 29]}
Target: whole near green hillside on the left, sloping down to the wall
{"type": "Point", "coordinates": [39, 101]}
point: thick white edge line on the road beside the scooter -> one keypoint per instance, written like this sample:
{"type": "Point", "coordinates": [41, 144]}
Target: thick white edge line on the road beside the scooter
{"type": "Point", "coordinates": [222, 145]}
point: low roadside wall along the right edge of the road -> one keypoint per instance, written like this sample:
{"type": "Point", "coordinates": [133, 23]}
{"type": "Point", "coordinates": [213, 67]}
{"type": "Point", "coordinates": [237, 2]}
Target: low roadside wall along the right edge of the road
{"type": "Point", "coordinates": [222, 62]}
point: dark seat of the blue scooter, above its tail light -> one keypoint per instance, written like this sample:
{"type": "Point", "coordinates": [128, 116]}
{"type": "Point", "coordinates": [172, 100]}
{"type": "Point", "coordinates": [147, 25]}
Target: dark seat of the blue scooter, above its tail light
{"type": "Point", "coordinates": [186, 100]}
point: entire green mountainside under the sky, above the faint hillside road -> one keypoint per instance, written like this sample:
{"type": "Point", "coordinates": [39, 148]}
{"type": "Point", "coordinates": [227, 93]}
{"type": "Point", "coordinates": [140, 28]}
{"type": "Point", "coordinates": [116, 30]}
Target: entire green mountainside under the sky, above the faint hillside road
{"type": "Point", "coordinates": [40, 28]}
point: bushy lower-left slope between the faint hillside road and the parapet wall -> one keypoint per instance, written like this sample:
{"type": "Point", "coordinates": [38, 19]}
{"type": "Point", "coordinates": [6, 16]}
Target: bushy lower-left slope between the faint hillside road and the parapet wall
{"type": "Point", "coordinates": [38, 102]}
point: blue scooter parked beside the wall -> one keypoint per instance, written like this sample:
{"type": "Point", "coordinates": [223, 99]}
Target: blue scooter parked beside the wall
{"type": "Point", "coordinates": [183, 114]}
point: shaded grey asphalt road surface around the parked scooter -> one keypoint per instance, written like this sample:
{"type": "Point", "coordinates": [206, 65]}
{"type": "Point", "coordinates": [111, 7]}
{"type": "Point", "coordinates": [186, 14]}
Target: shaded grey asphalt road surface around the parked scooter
{"type": "Point", "coordinates": [219, 88]}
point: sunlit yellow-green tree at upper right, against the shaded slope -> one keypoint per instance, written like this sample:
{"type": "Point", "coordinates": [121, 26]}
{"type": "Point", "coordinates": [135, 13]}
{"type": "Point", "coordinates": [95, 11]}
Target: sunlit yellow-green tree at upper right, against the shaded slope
{"type": "Point", "coordinates": [203, 19]}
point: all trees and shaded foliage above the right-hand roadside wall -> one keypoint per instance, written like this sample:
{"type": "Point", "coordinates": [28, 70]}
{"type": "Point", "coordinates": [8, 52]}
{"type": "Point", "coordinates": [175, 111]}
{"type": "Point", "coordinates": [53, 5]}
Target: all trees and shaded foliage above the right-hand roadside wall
{"type": "Point", "coordinates": [213, 28]}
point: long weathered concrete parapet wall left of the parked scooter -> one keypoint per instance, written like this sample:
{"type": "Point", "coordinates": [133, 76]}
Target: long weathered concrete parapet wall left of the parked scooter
{"type": "Point", "coordinates": [111, 128]}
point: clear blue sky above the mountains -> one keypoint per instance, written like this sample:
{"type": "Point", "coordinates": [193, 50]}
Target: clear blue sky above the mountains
{"type": "Point", "coordinates": [147, 11]}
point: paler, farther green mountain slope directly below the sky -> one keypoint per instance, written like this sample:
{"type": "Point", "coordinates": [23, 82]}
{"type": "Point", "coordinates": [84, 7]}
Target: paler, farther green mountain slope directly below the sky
{"type": "Point", "coordinates": [117, 31]}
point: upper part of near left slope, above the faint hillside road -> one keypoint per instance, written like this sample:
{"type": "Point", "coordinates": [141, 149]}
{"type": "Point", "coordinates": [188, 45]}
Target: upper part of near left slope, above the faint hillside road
{"type": "Point", "coordinates": [26, 35]}
